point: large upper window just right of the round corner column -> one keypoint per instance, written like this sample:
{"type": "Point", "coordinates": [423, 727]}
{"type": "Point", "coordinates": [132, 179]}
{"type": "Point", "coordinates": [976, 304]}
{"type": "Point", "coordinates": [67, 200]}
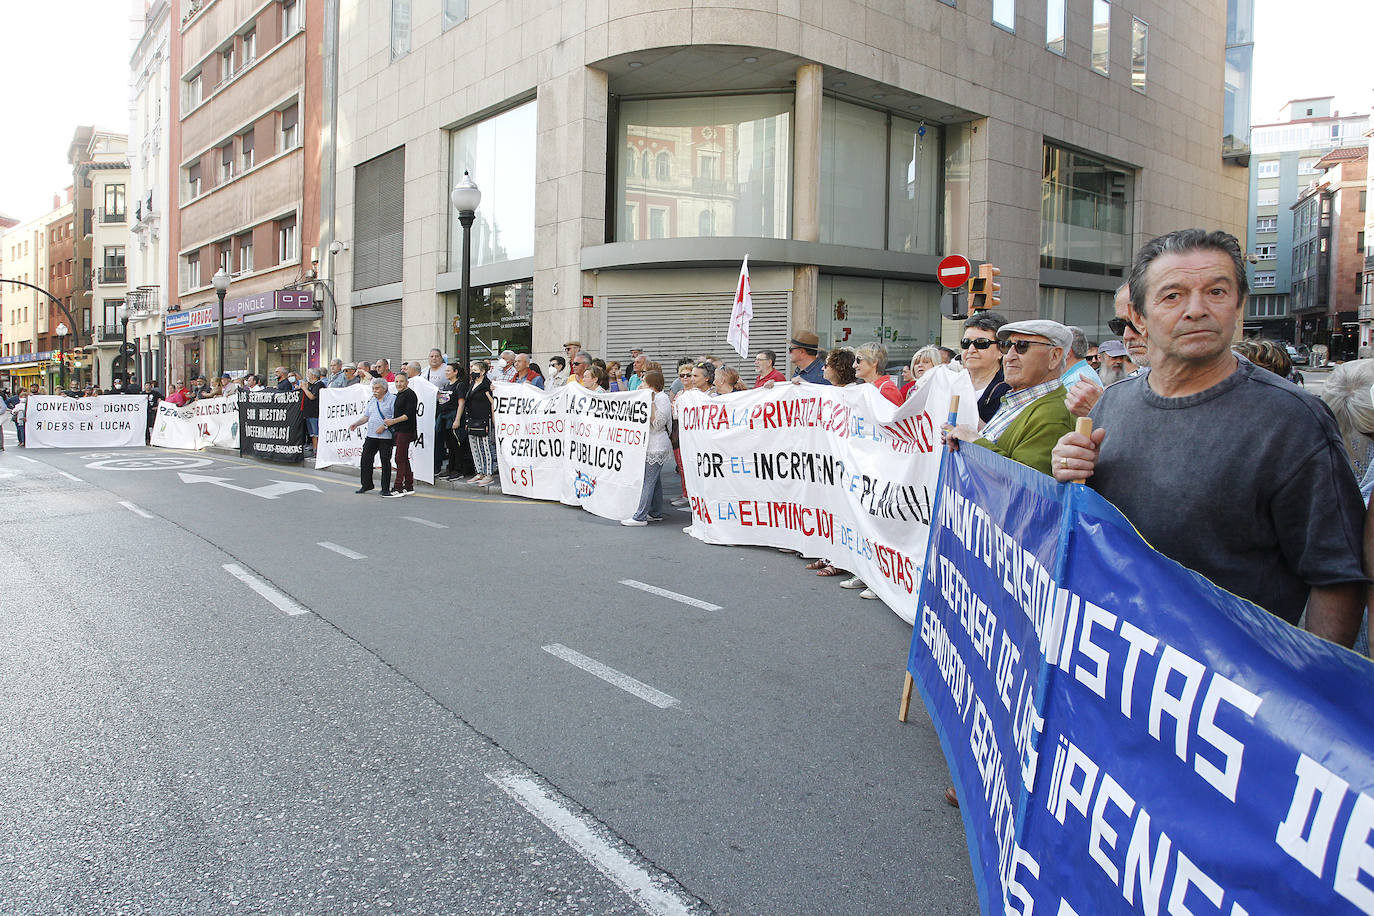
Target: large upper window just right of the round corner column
{"type": "Point", "coordinates": [857, 197]}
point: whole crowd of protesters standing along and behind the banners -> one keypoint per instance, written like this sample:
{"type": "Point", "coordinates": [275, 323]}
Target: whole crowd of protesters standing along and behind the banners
{"type": "Point", "coordinates": [1214, 455]}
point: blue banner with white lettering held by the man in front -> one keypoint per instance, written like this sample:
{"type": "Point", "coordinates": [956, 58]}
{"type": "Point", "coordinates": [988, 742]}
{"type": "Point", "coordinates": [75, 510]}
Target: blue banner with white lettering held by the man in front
{"type": "Point", "coordinates": [1126, 737]}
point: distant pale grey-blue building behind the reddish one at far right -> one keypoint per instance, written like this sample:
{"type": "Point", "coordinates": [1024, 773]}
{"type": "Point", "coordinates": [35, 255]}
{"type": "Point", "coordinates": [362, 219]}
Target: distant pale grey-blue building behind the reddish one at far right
{"type": "Point", "coordinates": [1283, 165]}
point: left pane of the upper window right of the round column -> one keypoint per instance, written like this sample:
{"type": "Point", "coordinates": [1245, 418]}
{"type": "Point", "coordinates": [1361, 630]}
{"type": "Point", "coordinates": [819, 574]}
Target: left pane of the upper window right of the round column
{"type": "Point", "coordinates": [853, 139]}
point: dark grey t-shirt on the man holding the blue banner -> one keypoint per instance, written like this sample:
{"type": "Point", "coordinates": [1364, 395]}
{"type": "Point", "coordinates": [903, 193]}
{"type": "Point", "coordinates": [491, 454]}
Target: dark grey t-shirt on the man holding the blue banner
{"type": "Point", "coordinates": [1246, 483]}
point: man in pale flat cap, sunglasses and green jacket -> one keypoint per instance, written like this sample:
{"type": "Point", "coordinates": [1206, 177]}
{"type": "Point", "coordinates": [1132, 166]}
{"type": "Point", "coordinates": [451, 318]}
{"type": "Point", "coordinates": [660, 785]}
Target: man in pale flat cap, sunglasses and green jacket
{"type": "Point", "coordinates": [1033, 415]}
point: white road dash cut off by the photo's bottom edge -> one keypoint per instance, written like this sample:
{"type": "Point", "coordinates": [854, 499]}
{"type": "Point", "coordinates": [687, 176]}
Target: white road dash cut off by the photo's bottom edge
{"type": "Point", "coordinates": [648, 891]}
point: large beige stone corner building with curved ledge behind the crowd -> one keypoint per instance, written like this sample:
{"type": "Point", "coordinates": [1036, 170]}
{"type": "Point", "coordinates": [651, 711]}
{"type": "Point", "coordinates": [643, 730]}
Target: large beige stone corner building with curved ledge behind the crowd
{"type": "Point", "coordinates": [631, 156]}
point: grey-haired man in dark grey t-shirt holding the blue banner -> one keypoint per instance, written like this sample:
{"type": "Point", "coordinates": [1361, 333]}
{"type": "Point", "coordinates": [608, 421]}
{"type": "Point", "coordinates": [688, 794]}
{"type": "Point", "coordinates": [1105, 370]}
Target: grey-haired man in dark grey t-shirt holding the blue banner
{"type": "Point", "coordinates": [1219, 465]}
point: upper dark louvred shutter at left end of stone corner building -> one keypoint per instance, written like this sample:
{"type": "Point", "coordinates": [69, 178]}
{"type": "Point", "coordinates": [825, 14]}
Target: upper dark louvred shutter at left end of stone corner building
{"type": "Point", "coordinates": [379, 219]}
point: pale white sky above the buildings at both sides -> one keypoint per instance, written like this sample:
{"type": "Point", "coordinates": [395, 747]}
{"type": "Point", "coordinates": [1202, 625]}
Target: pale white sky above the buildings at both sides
{"type": "Point", "coordinates": [67, 62]}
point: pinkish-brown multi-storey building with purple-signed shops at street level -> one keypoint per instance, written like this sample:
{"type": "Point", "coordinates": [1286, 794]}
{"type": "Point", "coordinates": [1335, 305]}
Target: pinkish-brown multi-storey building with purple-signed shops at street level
{"type": "Point", "coordinates": [244, 146]}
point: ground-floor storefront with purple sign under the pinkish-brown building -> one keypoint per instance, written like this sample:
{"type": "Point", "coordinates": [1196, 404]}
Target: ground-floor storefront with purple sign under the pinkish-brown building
{"type": "Point", "coordinates": [262, 332]}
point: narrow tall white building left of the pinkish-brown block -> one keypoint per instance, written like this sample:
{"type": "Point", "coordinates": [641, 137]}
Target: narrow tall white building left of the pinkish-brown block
{"type": "Point", "coordinates": [150, 75]}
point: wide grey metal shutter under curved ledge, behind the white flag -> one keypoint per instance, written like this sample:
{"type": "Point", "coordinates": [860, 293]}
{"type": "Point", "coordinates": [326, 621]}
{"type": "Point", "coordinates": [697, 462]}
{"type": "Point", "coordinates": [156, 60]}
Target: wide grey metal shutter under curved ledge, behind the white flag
{"type": "Point", "coordinates": [695, 325]}
